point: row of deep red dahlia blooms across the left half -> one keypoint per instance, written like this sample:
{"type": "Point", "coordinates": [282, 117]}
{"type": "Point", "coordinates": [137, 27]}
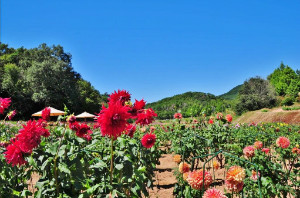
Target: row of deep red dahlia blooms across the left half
{"type": "Point", "coordinates": [113, 121]}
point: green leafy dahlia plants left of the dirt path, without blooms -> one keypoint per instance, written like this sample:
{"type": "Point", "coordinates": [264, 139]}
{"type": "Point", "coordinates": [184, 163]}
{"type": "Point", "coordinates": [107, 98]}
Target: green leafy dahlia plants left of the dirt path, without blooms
{"type": "Point", "coordinates": [69, 166]}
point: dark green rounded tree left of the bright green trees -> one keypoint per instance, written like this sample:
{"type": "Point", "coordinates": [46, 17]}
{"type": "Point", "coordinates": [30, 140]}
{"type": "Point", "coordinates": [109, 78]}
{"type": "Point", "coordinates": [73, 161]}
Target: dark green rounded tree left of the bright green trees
{"type": "Point", "coordinates": [256, 93]}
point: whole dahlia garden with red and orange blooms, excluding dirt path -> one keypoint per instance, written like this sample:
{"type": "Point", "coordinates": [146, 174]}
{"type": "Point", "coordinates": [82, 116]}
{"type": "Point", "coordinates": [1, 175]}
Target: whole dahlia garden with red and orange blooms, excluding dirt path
{"type": "Point", "coordinates": [116, 155]}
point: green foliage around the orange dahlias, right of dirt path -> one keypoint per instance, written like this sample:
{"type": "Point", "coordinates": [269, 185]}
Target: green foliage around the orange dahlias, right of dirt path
{"type": "Point", "coordinates": [278, 170]}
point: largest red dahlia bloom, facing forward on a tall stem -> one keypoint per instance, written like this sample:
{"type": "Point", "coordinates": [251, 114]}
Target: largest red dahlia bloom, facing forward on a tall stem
{"type": "Point", "coordinates": [113, 120]}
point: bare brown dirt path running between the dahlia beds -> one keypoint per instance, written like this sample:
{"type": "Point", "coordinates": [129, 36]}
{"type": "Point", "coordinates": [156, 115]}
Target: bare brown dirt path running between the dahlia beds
{"type": "Point", "coordinates": [164, 178]}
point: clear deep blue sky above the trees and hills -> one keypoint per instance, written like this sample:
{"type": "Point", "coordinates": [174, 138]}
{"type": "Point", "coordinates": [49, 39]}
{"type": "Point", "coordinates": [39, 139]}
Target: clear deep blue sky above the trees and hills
{"type": "Point", "coordinates": [159, 48]}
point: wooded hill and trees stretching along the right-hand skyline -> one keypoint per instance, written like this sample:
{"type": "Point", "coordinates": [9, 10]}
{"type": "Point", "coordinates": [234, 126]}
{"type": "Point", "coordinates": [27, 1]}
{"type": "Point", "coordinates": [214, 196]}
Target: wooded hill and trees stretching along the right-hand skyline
{"type": "Point", "coordinates": [282, 87]}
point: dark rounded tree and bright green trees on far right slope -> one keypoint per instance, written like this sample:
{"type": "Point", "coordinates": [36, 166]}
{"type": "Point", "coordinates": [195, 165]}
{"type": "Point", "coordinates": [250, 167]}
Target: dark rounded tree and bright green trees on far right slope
{"type": "Point", "coordinates": [282, 87]}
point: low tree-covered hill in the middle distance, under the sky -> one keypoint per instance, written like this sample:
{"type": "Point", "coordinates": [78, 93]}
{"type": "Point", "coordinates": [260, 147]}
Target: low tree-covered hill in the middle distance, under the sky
{"type": "Point", "coordinates": [188, 104]}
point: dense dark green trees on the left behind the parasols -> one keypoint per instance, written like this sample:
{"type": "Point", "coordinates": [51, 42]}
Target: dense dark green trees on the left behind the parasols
{"type": "Point", "coordinates": [44, 76]}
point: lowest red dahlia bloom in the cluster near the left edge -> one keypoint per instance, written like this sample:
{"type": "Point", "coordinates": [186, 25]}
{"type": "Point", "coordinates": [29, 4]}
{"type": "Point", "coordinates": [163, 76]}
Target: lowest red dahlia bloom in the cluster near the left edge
{"type": "Point", "coordinates": [14, 154]}
